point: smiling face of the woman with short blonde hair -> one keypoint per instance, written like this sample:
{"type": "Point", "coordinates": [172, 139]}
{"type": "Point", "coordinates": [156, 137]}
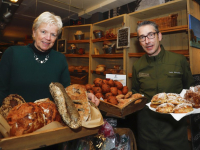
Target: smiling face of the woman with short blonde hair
{"type": "Point", "coordinates": [45, 36]}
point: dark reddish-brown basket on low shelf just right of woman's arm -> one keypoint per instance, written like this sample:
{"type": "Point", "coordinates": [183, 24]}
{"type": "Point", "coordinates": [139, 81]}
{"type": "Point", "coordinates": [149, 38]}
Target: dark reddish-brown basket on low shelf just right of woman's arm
{"type": "Point", "coordinates": [79, 78]}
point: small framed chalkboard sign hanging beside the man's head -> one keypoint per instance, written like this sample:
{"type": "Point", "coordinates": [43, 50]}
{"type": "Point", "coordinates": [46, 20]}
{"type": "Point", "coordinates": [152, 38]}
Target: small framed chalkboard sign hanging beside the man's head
{"type": "Point", "coordinates": [123, 37]}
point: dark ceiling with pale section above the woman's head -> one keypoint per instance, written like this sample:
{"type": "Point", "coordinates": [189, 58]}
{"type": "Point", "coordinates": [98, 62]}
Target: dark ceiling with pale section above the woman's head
{"type": "Point", "coordinates": [23, 16]}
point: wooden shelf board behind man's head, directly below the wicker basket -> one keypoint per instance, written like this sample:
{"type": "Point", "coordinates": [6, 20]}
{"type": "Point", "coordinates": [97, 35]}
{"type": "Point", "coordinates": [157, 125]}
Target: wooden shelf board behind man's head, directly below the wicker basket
{"type": "Point", "coordinates": [168, 30]}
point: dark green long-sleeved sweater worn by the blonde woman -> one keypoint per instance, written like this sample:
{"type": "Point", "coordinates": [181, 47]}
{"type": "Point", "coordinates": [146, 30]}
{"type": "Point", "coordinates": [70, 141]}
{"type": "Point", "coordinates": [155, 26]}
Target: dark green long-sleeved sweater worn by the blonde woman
{"type": "Point", "coordinates": [21, 74]}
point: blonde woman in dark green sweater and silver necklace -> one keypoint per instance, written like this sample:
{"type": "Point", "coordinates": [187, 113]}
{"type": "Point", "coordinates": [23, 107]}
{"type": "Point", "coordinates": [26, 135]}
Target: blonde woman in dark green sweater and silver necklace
{"type": "Point", "coordinates": [28, 70]}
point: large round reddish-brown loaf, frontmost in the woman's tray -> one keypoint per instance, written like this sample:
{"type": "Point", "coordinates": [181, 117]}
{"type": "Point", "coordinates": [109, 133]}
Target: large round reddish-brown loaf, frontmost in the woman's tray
{"type": "Point", "coordinates": [25, 118]}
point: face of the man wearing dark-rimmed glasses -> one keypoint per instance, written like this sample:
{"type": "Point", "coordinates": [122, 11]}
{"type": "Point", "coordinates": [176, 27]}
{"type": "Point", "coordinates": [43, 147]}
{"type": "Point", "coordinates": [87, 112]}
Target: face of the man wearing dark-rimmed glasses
{"type": "Point", "coordinates": [150, 45]}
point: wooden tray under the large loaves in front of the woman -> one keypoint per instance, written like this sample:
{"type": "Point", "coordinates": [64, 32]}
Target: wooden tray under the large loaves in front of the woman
{"type": "Point", "coordinates": [45, 138]}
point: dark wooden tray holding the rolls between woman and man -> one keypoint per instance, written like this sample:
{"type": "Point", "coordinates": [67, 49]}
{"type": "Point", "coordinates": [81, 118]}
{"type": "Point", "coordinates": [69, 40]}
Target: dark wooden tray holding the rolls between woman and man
{"type": "Point", "coordinates": [122, 112]}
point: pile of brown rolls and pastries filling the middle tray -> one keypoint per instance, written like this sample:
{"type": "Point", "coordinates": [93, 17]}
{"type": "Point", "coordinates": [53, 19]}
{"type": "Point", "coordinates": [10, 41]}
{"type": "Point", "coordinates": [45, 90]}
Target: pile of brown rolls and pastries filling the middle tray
{"type": "Point", "coordinates": [113, 92]}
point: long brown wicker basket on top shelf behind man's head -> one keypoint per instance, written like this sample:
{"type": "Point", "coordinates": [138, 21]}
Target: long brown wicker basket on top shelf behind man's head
{"type": "Point", "coordinates": [165, 22]}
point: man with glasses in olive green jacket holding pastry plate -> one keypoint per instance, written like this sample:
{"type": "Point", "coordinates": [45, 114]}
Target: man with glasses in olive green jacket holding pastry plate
{"type": "Point", "coordinates": [155, 72]}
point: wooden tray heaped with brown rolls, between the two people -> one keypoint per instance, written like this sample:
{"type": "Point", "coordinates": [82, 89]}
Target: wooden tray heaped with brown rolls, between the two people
{"type": "Point", "coordinates": [115, 99]}
